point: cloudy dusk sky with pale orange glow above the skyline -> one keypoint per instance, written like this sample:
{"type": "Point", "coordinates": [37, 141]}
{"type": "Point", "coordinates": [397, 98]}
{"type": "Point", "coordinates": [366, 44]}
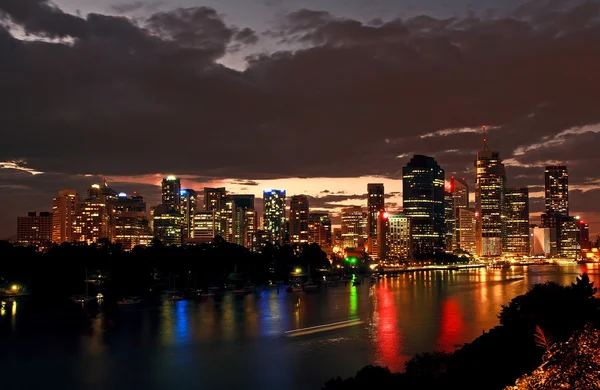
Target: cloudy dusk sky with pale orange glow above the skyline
{"type": "Point", "coordinates": [315, 97]}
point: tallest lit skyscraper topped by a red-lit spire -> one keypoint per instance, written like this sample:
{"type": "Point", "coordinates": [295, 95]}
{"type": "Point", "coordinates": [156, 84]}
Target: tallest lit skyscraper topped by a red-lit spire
{"type": "Point", "coordinates": [490, 184]}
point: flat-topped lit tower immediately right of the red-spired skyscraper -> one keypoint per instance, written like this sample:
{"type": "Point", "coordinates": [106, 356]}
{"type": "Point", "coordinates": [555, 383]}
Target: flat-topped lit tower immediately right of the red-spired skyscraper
{"type": "Point", "coordinates": [517, 221]}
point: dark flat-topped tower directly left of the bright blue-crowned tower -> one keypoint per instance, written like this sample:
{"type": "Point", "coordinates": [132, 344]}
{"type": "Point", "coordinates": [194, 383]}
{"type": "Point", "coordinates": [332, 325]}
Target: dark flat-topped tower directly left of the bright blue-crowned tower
{"type": "Point", "coordinates": [240, 217]}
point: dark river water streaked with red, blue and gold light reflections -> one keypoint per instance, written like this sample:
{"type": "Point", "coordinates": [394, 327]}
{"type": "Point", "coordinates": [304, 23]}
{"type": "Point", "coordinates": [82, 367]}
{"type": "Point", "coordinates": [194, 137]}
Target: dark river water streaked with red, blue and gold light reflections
{"type": "Point", "coordinates": [238, 342]}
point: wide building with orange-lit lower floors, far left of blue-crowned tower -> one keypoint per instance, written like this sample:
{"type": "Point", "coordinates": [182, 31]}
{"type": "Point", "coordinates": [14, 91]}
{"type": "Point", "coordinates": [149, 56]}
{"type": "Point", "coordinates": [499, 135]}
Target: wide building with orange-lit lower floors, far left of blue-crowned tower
{"type": "Point", "coordinates": [131, 227]}
